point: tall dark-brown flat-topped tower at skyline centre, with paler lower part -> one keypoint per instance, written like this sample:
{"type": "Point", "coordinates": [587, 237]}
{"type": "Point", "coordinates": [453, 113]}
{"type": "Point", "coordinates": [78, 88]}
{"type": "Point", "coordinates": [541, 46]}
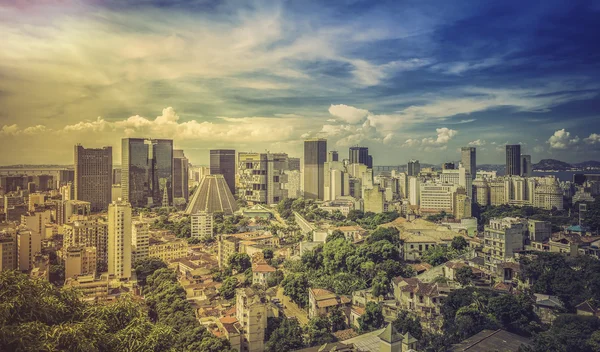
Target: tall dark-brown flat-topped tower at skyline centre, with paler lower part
{"type": "Point", "coordinates": [315, 155]}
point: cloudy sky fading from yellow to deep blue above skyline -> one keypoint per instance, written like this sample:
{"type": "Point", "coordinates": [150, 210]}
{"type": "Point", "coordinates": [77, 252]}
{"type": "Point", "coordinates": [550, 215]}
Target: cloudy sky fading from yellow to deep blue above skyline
{"type": "Point", "coordinates": [408, 79]}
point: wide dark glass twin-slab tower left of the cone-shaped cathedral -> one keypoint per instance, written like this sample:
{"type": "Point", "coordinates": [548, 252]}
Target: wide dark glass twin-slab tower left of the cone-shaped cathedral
{"type": "Point", "coordinates": [146, 171]}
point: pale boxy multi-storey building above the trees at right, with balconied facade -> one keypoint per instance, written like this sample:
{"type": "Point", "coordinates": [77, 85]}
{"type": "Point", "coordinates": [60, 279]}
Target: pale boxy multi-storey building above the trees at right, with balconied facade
{"type": "Point", "coordinates": [502, 238]}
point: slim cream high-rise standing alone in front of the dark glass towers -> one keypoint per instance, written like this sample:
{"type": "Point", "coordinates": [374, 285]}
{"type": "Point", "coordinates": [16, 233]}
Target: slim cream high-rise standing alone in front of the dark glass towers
{"type": "Point", "coordinates": [119, 240]}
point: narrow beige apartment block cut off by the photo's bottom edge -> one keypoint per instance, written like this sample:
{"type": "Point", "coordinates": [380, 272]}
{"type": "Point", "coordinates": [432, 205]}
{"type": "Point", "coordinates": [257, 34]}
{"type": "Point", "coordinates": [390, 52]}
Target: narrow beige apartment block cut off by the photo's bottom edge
{"type": "Point", "coordinates": [251, 312]}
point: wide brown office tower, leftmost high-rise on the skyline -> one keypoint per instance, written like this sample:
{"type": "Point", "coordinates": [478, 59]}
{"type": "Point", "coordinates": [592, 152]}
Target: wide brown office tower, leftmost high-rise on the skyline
{"type": "Point", "coordinates": [93, 176]}
